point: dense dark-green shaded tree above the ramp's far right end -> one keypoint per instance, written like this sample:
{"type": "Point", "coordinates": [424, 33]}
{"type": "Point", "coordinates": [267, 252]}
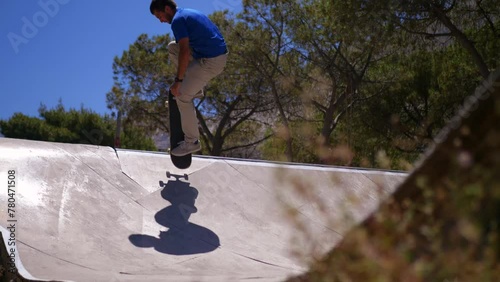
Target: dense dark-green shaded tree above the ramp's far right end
{"type": "Point", "coordinates": [405, 120]}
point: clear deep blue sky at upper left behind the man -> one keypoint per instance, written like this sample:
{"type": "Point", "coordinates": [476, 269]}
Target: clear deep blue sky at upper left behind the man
{"type": "Point", "coordinates": [64, 49]}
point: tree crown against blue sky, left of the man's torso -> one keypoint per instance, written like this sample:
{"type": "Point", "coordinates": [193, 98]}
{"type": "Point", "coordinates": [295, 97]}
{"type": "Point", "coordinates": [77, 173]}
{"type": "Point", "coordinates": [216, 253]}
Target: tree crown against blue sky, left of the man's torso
{"type": "Point", "coordinates": [141, 80]}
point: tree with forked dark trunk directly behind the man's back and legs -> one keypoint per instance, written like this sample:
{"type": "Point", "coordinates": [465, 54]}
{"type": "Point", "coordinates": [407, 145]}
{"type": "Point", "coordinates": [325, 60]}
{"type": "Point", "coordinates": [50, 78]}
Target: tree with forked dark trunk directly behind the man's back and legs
{"type": "Point", "coordinates": [231, 115]}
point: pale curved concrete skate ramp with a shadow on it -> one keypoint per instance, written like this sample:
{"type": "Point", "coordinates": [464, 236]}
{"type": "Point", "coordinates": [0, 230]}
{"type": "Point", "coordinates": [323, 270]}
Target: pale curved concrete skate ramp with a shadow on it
{"type": "Point", "coordinates": [90, 213]}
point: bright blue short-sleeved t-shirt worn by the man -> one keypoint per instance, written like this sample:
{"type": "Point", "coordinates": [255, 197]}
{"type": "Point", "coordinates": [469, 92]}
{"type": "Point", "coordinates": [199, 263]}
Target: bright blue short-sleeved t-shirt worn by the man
{"type": "Point", "coordinates": [205, 39]}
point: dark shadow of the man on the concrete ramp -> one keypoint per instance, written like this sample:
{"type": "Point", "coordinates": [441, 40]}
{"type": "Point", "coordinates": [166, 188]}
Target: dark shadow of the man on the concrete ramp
{"type": "Point", "coordinates": [182, 236]}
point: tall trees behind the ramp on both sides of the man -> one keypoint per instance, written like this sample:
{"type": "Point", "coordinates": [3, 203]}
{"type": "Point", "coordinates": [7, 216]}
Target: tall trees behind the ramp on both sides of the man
{"type": "Point", "coordinates": [371, 82]}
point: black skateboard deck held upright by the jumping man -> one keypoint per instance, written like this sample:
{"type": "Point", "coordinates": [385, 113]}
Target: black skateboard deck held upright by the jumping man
{"type": "Point", "coordinates": [176, 133]}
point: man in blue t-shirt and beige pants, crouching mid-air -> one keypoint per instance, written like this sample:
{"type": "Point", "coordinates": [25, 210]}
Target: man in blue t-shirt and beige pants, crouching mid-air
{"type": "Point", "coordinates": [199, 52]}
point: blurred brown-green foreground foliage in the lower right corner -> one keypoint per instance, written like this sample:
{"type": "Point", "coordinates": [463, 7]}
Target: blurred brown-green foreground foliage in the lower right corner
{"type": "Point", "coordinates": [442, 224]}
